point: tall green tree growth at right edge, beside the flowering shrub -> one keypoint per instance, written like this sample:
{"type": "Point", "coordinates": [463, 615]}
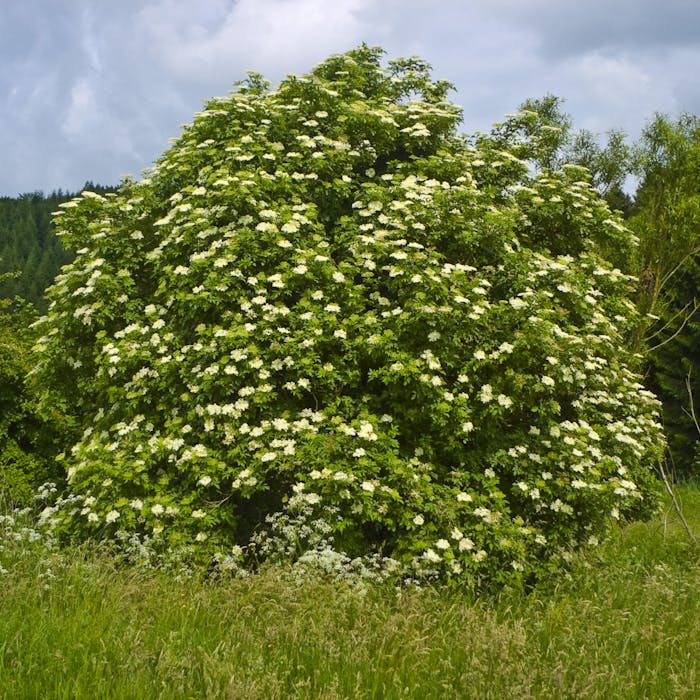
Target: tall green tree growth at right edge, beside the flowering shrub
{"type": "Point", "coordinates": [668, 258]}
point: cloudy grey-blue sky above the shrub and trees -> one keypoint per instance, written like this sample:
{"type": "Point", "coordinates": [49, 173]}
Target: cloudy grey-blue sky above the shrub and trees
{"type": "Point", "coordinates": [94, 89]}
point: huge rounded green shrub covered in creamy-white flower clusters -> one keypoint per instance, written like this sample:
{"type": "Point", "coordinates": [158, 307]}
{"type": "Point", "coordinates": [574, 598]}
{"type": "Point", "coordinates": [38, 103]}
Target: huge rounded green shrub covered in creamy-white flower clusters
{"type": "Point", "coordinates": [324, 321]}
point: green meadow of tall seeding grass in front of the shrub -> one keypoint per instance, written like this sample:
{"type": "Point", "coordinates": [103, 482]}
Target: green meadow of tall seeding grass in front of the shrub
{"type": "Point", "coordinates": [624, 624]}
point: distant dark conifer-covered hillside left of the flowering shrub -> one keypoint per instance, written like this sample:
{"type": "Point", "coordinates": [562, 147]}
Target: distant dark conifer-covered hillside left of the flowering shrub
{"type": "Point", "coordinates": [28, 245]}
